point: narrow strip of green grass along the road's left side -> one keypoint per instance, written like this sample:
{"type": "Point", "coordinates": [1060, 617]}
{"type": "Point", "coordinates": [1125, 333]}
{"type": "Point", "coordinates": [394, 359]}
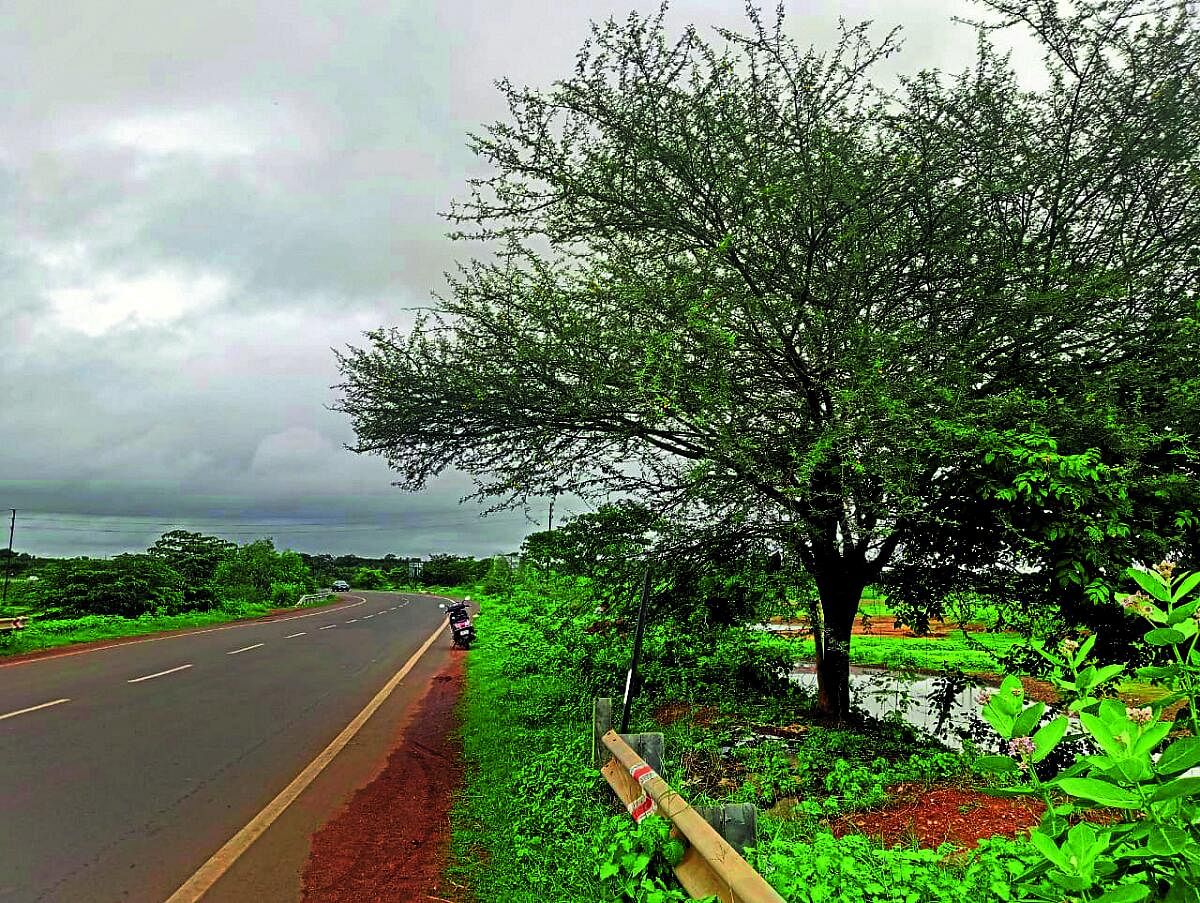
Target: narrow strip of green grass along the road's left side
{"type": "Point", "coordinates": [51, 633]}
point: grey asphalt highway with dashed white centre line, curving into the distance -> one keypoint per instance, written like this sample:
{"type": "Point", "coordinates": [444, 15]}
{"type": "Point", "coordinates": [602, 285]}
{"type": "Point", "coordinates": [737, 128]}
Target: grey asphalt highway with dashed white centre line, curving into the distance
{"type": "Point", "coordinates": [124, 769]}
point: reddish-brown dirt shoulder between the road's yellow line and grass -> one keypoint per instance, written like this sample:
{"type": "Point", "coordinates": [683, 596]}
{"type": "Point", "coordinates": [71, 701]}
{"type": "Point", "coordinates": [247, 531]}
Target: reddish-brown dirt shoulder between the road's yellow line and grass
{"type": "Point", "coordinates": [392, 841]}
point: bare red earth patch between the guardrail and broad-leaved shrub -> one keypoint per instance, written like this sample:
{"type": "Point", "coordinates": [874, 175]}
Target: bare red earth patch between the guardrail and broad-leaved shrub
{"type": "Point", "coordinates": [944, 815]}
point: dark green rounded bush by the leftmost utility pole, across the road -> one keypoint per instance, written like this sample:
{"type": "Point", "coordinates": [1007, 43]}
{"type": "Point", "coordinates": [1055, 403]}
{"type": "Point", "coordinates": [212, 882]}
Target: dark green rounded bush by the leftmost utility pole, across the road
{"type": "Point", "coordinates": [128, 585]}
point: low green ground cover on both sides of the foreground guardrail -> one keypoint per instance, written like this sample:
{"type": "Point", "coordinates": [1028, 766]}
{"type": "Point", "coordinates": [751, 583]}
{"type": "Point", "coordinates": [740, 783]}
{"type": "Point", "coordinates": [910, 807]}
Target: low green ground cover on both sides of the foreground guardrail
{"type": "Point", "coordinates": [537, 821]}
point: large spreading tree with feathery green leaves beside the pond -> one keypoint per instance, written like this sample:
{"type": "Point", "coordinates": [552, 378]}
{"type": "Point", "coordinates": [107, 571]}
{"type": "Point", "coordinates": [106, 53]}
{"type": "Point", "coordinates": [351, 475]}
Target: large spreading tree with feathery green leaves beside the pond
{"type": "Point", "coordinates": [939, 338]}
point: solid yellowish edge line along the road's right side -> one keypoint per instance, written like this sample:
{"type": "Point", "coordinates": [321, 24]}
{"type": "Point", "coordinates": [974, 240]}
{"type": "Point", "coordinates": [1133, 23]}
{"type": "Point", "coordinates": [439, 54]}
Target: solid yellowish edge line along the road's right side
{"type": "Point", "coordinates": [221, 862]}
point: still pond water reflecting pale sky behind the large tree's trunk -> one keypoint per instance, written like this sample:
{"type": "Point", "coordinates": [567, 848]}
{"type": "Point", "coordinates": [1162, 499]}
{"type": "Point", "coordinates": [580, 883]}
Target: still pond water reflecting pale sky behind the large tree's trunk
{"type": "Point", "coordinates": [946, 708]}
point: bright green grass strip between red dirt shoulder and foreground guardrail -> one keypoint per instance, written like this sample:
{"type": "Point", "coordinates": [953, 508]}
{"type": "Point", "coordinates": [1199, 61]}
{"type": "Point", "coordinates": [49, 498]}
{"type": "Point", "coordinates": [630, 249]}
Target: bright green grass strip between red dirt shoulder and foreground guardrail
{"type": "Point", "coordinates": [523, 832]}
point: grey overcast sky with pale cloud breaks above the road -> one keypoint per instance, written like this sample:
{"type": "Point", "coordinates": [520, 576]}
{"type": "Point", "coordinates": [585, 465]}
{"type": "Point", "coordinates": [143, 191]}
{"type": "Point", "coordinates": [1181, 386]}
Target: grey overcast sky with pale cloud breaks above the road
{"type": "Point", "coordinates": [199, 201]}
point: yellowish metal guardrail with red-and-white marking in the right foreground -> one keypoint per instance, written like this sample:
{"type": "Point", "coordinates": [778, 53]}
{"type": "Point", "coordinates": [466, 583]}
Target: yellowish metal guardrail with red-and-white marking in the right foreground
{"type": "Point", "coordinates": [711, 866]}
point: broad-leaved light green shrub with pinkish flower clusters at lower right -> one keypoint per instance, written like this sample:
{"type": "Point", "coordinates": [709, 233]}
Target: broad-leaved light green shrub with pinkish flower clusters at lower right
{"type": "Point", "coordinates": [1154, 852]}
